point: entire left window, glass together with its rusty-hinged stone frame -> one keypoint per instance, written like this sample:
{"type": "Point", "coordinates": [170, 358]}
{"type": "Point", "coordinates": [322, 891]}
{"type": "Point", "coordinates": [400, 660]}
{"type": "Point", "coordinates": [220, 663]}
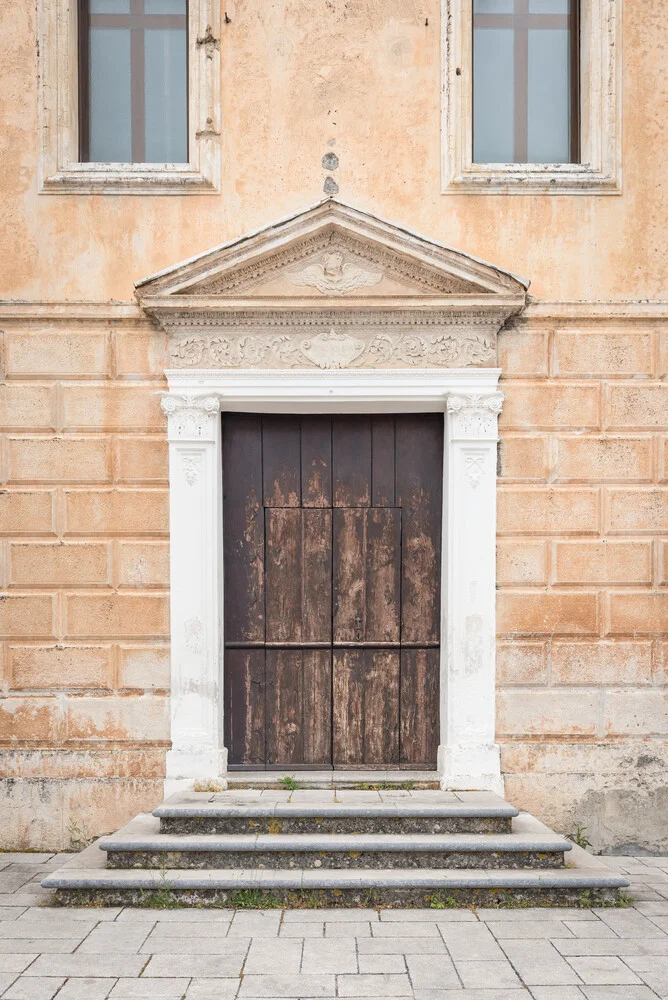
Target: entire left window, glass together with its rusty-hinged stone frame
{"type": "Point", "coordinates": [129, 96]}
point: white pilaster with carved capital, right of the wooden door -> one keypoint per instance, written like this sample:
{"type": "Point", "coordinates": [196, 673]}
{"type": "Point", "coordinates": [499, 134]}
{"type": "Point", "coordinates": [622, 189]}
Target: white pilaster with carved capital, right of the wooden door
{"type": "Point", "coordinates": [468, 756]}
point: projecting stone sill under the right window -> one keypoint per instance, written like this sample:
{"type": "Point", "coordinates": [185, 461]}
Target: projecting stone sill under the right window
{"type": "Point", "coordinates": [524, 178]}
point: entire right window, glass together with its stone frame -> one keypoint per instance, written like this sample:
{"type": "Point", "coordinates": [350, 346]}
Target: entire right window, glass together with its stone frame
{"type": "Point", "coordinates": [532, 96]}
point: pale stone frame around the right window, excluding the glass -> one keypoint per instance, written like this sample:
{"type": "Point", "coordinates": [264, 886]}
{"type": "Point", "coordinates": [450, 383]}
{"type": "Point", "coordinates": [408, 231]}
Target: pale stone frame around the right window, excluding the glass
{"type": "Point", "coordinates": [600, 112]}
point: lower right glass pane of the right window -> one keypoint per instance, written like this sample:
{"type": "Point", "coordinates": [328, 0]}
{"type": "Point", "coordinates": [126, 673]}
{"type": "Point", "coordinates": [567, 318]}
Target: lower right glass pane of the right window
{"type": "Point", "coordinates": [549, 97]}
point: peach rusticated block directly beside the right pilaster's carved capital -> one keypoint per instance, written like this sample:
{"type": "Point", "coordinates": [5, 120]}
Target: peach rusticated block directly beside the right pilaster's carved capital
{"type": "Point", "coordinates": [533, 406]}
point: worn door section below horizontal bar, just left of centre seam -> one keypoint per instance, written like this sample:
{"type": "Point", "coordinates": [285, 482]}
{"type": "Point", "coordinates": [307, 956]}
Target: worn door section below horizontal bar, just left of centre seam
{"type": "Point", "coordinates": [298, 707]}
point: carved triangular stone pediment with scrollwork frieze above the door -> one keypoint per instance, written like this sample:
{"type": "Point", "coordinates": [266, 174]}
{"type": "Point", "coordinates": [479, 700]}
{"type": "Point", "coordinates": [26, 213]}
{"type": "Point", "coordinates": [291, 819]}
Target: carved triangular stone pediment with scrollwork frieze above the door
{"type": "Point", "coordinates": [332, 287]}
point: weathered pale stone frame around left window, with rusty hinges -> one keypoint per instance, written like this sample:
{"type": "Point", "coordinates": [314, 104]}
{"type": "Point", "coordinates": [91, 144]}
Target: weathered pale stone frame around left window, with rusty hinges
{"type": "Point", "coordinates": [61, 172]}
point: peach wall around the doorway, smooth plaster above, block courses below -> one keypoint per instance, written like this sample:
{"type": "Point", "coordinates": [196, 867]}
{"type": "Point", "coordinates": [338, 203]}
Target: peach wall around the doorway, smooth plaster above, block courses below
{"type": "Point", "coordinates": [583, 571]}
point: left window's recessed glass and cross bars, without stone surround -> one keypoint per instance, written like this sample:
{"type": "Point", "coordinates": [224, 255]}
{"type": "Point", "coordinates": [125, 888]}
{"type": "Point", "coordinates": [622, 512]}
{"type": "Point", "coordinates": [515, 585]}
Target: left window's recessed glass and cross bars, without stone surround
{"type": "Point", "coordinates": [133, 82]}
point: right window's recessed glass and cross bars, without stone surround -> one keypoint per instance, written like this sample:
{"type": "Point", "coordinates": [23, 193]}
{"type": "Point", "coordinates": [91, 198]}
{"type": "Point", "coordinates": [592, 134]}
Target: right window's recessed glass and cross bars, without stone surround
{"type": "Point", "coordinates": [525, 81]}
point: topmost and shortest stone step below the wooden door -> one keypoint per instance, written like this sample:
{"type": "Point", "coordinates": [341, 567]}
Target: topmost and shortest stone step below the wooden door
{"type": "Point", "coordinates": [335, 811]}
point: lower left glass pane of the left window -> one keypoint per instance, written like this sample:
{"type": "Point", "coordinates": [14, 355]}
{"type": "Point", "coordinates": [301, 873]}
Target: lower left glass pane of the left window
{"type": "Point", "coordinates": [110, 113]}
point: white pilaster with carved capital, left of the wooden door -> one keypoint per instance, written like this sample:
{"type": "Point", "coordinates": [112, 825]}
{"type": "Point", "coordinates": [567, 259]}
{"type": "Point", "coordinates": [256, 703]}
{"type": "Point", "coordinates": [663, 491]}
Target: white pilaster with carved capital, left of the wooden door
{"type": "Point", "coordinates": [195, 475]}
